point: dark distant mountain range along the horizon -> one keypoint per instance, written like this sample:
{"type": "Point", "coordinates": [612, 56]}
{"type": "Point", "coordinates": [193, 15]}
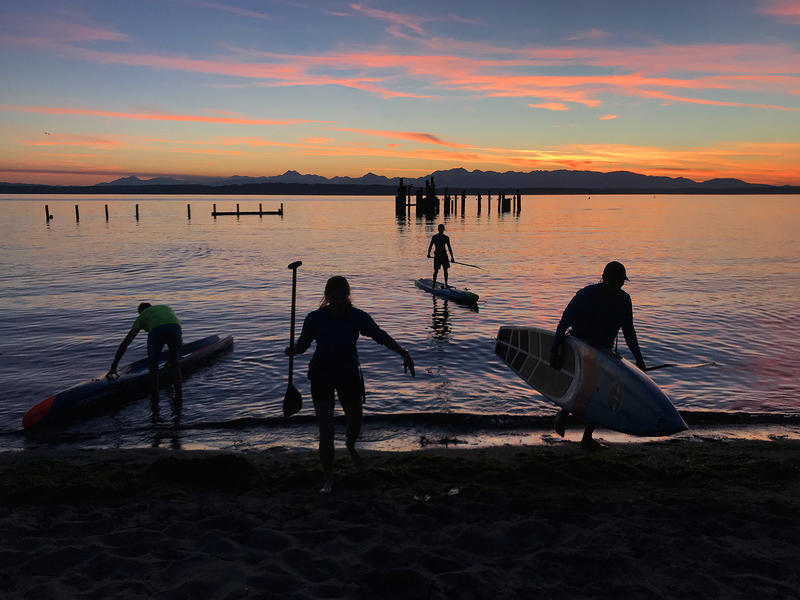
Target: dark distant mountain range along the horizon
{"type": "Point", "coordinates": [457, 180]}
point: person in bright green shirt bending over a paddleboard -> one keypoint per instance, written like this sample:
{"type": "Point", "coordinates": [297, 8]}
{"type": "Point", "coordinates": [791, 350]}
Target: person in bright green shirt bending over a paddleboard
{"type": "Point", "coordinates": [162, 327]}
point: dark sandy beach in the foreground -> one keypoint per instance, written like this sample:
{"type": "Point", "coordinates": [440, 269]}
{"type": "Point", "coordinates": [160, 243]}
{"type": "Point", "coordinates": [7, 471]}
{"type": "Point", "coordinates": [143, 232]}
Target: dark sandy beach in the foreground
{"type": "Point", "coordinates": [668, 520]}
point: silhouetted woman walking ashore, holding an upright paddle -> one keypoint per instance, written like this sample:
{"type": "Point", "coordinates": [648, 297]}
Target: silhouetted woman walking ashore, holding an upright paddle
{"type": "Point", "coordinates": [335, 326]}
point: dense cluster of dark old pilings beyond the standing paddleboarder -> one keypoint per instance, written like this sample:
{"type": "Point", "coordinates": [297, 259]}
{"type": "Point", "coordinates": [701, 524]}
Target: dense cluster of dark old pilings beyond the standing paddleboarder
{"type": "Point", "coordinates": [426, 203]}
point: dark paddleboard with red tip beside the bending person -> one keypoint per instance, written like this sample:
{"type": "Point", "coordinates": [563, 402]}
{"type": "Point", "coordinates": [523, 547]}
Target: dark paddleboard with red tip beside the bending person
{"type": "Point", "coordinates": [102, 395]}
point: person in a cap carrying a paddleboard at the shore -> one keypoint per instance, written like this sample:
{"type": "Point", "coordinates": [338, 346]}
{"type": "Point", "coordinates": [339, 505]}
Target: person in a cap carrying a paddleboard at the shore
{"type": "Point", "coordinates": [596, 314]}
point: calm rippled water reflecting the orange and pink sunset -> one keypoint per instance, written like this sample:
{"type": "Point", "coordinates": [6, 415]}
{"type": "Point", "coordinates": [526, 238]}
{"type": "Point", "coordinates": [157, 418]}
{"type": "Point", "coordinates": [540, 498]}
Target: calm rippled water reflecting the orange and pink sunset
{"type": "Point", "coordinates": [713, 278]}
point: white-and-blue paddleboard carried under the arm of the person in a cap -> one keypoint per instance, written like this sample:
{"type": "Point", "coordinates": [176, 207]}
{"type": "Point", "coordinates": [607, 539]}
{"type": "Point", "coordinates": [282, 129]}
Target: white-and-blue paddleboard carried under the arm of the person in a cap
{"type": "Point", "coordinates": [595, 384]}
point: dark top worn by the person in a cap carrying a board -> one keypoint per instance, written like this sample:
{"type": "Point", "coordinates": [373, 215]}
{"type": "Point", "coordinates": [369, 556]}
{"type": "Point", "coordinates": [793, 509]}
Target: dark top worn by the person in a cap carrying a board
{"type": "Point", "coordinates": [596, 316]}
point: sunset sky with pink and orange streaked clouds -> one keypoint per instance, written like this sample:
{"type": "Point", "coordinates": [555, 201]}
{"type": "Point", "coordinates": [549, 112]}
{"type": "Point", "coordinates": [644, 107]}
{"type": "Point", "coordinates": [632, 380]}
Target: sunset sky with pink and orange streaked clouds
{"type": "Point", "coordinates": [98, 89]}
